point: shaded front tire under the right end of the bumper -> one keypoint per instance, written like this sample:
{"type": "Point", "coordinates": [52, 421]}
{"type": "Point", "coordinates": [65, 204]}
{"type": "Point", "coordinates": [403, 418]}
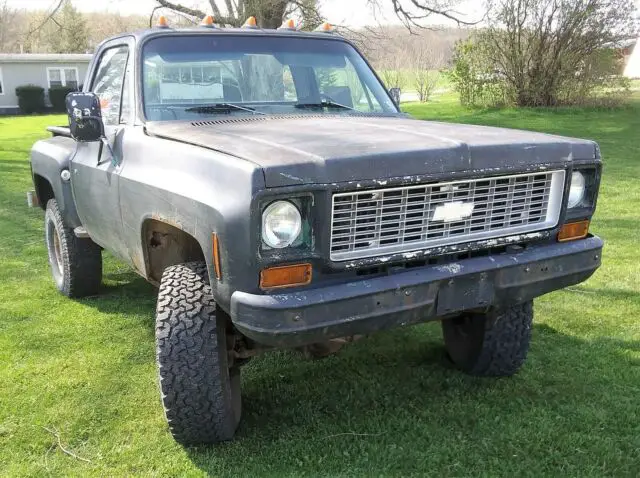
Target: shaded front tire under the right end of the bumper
{"type": "Point", "coordinates": [494, 344]}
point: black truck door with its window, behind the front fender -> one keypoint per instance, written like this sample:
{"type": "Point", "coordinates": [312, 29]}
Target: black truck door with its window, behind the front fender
{"type": "Point", "coordinates": [95, 170]}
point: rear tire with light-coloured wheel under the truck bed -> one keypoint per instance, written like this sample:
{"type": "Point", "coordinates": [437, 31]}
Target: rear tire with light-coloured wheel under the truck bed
{"type": "Point", "coordinates": [76, 264]}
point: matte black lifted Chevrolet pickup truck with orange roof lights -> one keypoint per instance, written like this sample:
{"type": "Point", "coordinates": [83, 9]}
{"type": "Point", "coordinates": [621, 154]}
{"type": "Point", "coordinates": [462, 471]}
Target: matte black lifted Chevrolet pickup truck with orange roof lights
{"type": "Point", "coordinates": [268, 183]}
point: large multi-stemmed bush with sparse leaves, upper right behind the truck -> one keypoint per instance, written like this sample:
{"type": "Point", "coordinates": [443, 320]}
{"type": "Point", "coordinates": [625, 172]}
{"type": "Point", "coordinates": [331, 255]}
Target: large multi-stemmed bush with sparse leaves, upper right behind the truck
{"type": "Point", "coordinates": [549, 52]}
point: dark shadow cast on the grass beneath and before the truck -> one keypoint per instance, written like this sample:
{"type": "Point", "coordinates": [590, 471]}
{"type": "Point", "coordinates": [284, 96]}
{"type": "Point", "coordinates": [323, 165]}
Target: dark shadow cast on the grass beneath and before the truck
{"type": "Point", "coordinates": [394, 396]}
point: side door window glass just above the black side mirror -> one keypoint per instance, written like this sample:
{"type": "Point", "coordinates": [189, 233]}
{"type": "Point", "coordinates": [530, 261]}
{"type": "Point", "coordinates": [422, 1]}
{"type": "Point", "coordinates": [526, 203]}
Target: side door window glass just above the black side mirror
{"type": "Point", "coordinates": [108, 81]}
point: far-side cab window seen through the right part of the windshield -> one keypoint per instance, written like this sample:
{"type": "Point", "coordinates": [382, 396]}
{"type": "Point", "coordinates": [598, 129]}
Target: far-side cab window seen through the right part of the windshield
{"type": "Point", "coordinates": [343, 86]}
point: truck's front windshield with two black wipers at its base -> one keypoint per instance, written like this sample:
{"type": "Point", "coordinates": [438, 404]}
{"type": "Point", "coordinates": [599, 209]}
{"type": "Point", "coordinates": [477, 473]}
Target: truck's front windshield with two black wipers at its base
{"type": "Point", "coordinates": [206, 75]}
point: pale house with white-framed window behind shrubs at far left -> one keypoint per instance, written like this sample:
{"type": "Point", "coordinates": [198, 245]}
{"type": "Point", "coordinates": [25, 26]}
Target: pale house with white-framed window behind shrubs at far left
{"type": "Point", "coordinates": [45, 70]}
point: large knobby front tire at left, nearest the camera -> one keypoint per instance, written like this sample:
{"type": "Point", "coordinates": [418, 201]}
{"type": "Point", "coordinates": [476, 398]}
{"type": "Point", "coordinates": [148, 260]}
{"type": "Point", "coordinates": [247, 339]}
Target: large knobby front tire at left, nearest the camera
{"type": "Point", "coordinates": [200, 393]}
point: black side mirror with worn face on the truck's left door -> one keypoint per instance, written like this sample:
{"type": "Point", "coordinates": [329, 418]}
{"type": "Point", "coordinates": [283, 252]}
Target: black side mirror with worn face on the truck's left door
{"type": "Point", "coordinates": [85, 119]}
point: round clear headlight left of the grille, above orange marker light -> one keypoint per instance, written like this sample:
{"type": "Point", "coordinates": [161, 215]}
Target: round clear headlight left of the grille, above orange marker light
{"type": "Point", "coordinates": [281, 224]}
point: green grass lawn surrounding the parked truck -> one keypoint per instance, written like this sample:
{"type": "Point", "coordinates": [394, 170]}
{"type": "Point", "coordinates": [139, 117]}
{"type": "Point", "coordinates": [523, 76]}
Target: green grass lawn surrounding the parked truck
{"type": "Point", "coordinates": [386, 406]}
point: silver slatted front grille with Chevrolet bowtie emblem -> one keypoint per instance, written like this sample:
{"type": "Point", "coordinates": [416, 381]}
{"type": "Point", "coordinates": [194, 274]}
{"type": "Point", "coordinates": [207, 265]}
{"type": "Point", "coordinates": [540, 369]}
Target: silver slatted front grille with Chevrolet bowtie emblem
{"type": "Point", "coordinates": [404, 219]}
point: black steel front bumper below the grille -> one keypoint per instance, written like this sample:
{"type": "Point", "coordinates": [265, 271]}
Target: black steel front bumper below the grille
{"type": "Point", "coordinates": [413, 296]}
